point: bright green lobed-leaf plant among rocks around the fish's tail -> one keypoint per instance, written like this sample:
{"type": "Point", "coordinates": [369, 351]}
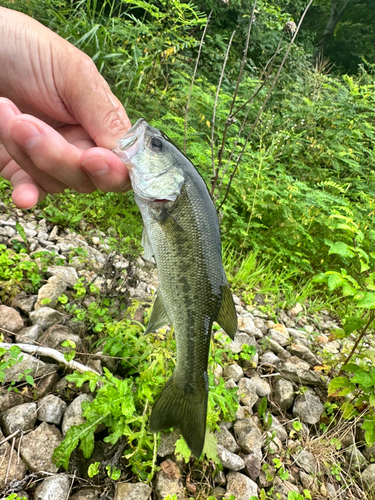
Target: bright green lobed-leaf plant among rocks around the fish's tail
{"type": "Point", "coordinates": [123, 405]}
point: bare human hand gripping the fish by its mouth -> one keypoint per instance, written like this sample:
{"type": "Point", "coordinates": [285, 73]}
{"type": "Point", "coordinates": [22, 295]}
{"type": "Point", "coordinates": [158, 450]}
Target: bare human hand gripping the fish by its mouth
{"type": "Point", "coordinates": [55, 108]}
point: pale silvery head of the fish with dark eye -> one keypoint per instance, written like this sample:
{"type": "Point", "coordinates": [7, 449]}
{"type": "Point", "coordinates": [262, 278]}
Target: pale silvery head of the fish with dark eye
{"type": "Point", "coordinates": [152, 160]}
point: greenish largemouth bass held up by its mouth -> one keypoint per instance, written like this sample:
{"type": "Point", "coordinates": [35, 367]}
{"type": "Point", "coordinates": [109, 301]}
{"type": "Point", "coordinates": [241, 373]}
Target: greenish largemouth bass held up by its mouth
{"type": "Point", "coordinates": [181, 231]}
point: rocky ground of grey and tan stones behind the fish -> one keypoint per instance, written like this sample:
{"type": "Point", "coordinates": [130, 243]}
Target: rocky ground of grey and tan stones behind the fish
{"type": "Point", "coordinates": [270, 452]}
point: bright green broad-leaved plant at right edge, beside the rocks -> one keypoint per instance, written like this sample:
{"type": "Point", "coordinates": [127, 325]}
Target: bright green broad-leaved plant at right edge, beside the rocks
{"type": "Point", "coordinates": [353, 245]}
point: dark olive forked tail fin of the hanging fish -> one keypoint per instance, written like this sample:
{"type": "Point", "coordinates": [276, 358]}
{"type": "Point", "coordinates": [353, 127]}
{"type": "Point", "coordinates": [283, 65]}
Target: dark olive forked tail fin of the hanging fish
{"type": "Point", "coordinates": [186, 411]}
